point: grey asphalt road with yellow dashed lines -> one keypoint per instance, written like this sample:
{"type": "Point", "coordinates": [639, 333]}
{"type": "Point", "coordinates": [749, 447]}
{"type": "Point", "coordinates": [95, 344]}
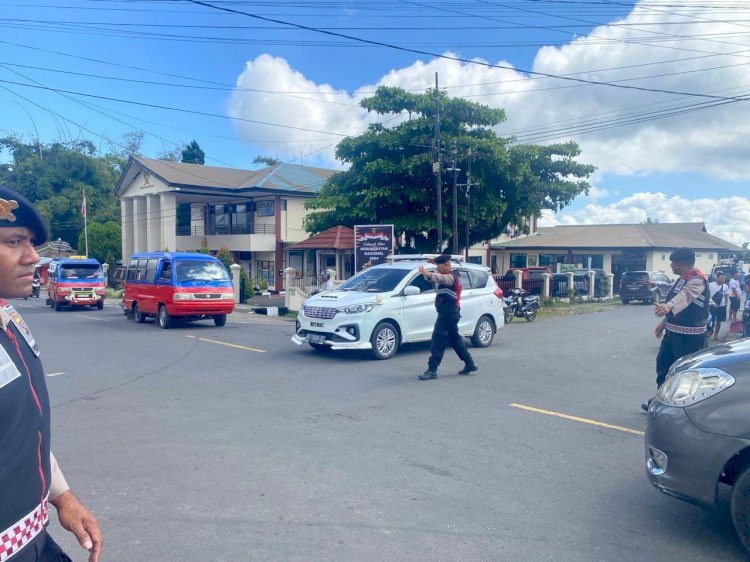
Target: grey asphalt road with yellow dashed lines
{"type": "Point", "coordinates": [232, 443]}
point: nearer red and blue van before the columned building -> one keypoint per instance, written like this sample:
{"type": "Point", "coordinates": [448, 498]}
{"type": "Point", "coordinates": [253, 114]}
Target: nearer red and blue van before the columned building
{"type": "Point", "coordinates": [170, 286]}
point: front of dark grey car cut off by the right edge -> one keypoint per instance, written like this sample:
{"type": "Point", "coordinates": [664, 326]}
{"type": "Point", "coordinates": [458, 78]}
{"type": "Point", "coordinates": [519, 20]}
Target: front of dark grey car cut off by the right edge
{"type": "Point", "coordinates": [698, 432]}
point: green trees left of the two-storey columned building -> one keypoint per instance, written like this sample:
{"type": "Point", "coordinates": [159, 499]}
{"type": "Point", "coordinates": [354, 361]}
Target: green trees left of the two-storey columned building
{"type": "Point", "coordinates": [54, 177]}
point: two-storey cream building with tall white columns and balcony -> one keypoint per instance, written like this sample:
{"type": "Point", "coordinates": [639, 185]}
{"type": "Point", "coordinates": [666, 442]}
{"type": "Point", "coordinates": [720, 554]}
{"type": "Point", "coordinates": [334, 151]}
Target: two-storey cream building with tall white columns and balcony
{"type": "Point", "coordinates": [256, 214]}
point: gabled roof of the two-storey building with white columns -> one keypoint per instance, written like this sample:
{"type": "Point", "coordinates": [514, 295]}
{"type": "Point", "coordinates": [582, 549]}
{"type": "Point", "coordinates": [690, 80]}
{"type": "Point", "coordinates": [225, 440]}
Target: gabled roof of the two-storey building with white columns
{"type": "Point", "coordinates": [281, 178]}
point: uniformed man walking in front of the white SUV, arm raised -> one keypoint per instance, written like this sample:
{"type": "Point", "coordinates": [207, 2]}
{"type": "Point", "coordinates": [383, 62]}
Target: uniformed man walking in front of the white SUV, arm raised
{"type": "Point", "coordinates": [448, 304]}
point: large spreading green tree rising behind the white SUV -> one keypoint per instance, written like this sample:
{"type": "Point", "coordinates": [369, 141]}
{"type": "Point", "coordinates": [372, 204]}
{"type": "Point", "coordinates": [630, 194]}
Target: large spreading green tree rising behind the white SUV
{"type": "Point", "coordinates": [390, 177]}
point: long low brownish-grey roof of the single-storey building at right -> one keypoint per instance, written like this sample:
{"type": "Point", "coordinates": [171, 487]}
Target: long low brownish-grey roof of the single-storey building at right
{"type": "Point", "coordinates": [642, 236]}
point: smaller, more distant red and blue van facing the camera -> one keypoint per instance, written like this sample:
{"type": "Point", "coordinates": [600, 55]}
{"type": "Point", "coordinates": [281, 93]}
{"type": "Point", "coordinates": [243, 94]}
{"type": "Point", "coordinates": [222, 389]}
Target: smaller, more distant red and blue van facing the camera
{"type": "Point", "coordinates": [75, 281]}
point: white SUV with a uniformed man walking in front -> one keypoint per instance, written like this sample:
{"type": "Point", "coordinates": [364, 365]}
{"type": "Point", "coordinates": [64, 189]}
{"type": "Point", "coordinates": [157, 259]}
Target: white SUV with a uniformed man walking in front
{"type": "Point", "coordinates": [389, 304]}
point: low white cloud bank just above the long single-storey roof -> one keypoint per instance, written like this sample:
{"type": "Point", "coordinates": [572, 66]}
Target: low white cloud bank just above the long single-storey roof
{"type": "Point", "coordinates": [726, 218]}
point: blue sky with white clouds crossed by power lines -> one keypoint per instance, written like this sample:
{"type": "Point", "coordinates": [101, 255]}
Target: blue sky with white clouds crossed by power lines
{"type": "Point", "coordinates": [656, 92]}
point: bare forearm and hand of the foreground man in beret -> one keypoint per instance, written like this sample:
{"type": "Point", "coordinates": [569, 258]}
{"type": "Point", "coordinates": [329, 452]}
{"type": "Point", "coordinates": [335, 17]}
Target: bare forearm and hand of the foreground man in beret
{"type": "Point", "coordinates": [73, 515]}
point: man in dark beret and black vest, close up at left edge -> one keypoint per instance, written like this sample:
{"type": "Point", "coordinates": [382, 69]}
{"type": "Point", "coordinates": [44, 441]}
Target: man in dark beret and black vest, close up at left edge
{"type": "Point", "coordinates": [30, 477]}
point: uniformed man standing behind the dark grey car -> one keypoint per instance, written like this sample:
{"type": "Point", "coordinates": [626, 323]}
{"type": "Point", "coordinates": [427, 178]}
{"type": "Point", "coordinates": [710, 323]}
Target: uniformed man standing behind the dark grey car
{"type": "Point", "coordinates": [685, 315]}
